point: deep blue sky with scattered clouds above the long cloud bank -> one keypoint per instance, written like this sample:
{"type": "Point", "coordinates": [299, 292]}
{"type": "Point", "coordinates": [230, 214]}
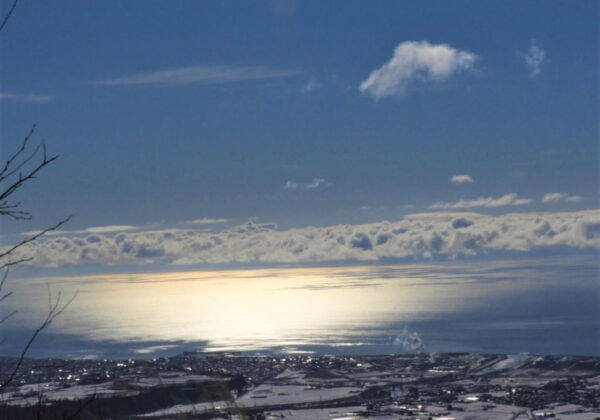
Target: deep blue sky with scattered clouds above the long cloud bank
{"type": "Point", "coordinates": [167, 112]}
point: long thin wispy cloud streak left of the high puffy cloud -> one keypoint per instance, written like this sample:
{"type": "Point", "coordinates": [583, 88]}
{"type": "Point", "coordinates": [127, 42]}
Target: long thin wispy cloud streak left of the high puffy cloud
{"type": "Point", "coordinates": [206, 75]}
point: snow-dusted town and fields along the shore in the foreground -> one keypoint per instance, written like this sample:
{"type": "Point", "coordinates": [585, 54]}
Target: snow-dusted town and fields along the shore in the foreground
{"type": "Point", "coordinates": [226, 385]}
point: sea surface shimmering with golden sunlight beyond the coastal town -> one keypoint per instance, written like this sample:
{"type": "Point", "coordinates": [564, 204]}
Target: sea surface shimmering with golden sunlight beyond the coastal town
{"type": "Point", "coordinates": [540, 306]}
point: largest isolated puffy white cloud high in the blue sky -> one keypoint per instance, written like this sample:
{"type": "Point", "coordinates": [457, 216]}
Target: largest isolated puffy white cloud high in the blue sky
{"type": "Point", "coordinates": [416, 61]}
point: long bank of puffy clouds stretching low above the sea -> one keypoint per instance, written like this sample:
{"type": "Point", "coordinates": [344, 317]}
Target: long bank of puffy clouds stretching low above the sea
{"type": "Point", "coordinates": [425, 235]}
